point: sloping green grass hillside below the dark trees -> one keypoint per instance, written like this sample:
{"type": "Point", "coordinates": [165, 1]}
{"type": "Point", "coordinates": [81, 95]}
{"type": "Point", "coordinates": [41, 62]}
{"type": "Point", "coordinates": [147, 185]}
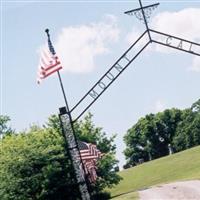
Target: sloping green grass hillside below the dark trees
{"type": "Point", "coordinates": [184, 165]}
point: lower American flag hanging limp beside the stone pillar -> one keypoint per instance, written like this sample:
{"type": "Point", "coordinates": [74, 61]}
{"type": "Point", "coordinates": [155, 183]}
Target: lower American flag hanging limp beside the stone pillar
{"type": "Point", "coordinates": [89, 155]}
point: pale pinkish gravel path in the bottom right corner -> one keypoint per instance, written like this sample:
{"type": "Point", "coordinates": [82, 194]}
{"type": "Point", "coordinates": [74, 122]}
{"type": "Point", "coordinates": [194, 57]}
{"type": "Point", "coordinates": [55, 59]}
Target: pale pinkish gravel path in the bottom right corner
{"type": "Point", "coordinates": [187, 190]}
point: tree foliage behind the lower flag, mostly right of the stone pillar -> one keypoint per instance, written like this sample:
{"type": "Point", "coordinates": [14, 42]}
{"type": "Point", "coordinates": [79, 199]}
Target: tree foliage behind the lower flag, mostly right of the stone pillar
{"type": "Point", "coordinates": [86, 131]}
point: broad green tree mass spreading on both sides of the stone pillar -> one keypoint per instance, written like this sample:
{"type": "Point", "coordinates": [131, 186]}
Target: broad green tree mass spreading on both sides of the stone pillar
{"type": "Point", "coordinates": [35, 165]}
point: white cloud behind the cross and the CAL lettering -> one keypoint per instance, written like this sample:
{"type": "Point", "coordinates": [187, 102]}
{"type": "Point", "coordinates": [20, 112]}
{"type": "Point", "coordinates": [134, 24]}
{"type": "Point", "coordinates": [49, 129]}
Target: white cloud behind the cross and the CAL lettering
{"type": "Point", "coordinates": [184, 24]}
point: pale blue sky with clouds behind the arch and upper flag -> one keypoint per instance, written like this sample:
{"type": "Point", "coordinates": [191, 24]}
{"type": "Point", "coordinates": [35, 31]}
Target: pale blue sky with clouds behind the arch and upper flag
{"type": "Point", "coordinates": [90, 36]}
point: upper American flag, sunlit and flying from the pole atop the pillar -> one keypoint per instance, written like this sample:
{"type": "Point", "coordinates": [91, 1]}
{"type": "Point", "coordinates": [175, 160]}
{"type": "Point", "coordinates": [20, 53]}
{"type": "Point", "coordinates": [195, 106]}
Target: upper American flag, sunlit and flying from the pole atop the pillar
{"type": "Point", "coordinates": [49, 64]}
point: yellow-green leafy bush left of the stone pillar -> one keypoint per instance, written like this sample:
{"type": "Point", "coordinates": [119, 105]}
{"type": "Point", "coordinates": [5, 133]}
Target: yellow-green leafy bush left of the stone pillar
{"type": "Point", "coordinates": [31, 166]}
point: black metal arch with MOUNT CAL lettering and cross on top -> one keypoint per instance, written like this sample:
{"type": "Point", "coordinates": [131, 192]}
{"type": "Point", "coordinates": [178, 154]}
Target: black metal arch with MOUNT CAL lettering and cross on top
{"type": "Point", "coordinates": [100, 84]}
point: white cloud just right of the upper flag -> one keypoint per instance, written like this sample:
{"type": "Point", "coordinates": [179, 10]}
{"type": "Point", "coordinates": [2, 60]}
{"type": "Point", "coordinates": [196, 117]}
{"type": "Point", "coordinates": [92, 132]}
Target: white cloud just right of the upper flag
{"type": "Point", "coordinates": [78, 46]}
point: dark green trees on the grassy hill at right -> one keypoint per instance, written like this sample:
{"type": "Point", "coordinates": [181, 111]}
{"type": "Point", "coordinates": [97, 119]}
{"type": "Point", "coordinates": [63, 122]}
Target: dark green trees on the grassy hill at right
{"type": "Point", "coordinates": [161, 134]}
